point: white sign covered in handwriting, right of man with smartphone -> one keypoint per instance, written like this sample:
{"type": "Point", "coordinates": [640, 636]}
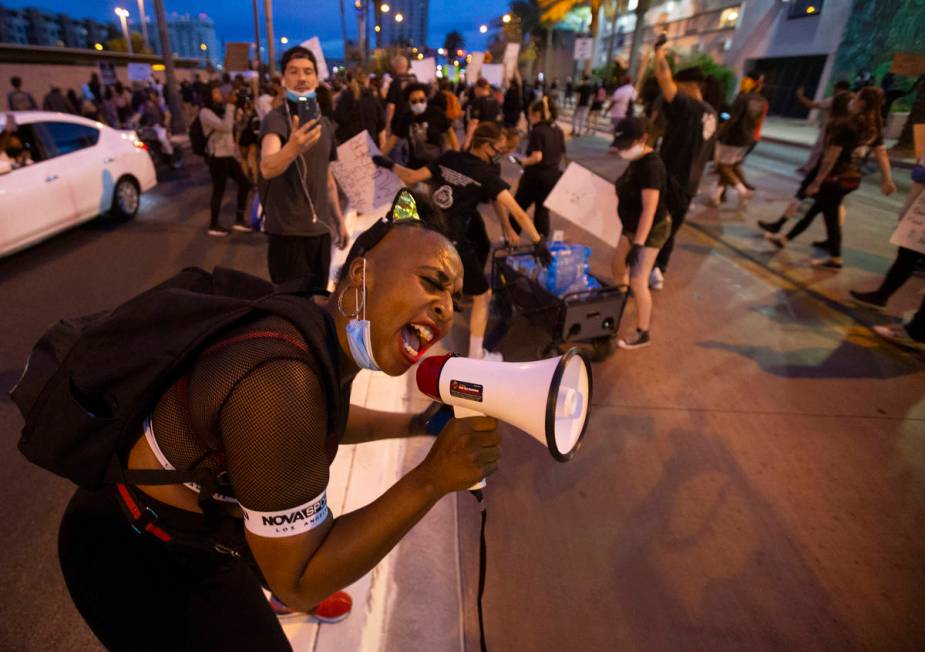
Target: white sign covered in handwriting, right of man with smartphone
{"type": "Point", "coordinates": [366, 186]}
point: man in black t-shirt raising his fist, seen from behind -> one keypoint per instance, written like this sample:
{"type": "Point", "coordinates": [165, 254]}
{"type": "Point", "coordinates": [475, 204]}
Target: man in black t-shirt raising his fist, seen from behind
{"type": "Point", "coordinates": [690, 130]}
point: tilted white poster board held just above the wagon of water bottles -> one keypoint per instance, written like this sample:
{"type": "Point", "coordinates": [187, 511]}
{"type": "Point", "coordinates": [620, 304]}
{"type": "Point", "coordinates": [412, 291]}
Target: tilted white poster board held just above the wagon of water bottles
{"type": "Point", "coordinates": [588, 201]}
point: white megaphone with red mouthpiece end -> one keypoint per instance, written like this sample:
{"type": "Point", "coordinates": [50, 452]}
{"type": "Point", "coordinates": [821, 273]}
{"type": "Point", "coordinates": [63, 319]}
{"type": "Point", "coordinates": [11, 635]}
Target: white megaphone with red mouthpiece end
{"type": "Point", "coordinates": [550, 400]}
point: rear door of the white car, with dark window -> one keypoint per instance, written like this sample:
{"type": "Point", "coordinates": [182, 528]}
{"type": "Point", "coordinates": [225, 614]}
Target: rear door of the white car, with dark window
{"type": "Point", "coordinates": [86, 166]}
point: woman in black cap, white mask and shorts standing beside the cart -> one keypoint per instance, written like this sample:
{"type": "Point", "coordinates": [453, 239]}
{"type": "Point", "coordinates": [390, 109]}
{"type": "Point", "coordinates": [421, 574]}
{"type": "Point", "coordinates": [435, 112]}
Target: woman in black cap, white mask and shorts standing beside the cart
{"type": "Point", "coordinates": [642, 210]}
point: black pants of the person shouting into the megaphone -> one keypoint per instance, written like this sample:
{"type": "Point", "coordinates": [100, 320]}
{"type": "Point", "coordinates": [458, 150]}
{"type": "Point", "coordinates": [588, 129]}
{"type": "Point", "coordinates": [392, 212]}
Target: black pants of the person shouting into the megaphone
{"type": "Point", "coordinates": [139, 593]}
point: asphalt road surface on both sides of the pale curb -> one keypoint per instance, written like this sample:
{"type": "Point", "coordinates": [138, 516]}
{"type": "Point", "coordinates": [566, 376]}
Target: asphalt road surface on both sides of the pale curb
{"type": "Point", "coordinates": [754, 480]}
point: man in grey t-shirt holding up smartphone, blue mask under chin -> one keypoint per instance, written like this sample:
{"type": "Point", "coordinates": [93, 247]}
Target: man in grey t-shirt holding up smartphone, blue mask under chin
{"type": "Point", "coordinates": [296, 184]}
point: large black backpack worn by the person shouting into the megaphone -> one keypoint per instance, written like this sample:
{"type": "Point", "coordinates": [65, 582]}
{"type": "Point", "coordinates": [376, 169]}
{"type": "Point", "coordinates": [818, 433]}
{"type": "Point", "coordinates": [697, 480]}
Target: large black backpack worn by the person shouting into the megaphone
{"type": "Point", "coordinates": [90, 381]}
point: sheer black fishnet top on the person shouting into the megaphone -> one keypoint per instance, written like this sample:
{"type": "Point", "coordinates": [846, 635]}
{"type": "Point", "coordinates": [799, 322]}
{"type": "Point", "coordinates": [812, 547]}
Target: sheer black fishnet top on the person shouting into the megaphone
{"type": "Point", "coordinates": [253, 405]}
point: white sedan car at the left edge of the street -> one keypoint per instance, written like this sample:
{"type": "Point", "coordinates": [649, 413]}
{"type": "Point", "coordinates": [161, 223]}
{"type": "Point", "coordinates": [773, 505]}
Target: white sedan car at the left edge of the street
{"type": "Point", "coordinates": [59, 170]}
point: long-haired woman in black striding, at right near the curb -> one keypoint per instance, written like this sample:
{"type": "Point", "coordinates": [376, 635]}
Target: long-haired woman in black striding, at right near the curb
{"type": "Point", "coordinates": [839, 172]}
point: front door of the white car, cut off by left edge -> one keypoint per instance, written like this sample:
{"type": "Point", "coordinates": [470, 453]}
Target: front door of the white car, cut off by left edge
{"type": "Point", "coordinates": [34, 198]}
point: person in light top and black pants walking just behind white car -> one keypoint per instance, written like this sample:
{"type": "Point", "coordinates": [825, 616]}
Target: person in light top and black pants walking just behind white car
{"type": "Point", "coordinates": [217, 118]}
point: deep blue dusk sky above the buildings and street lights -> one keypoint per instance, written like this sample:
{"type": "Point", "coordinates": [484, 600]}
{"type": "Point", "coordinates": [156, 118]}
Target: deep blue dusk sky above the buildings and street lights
{"type": "Point", "coordinates": [295, 19]}
